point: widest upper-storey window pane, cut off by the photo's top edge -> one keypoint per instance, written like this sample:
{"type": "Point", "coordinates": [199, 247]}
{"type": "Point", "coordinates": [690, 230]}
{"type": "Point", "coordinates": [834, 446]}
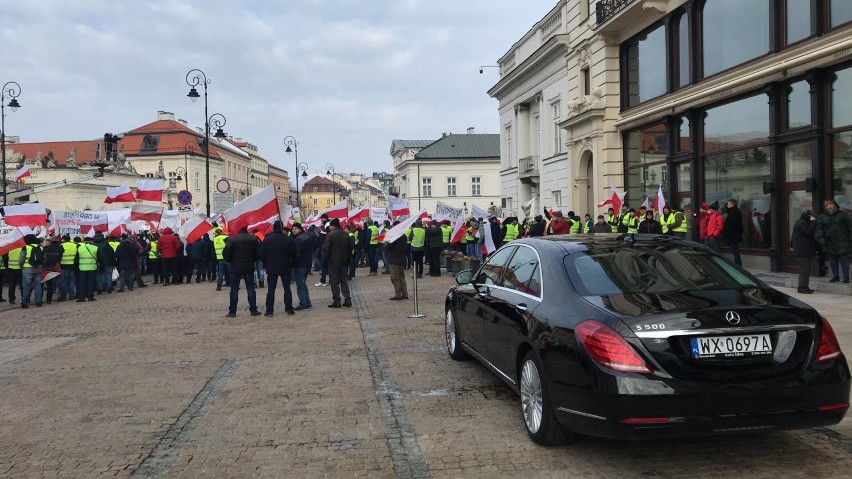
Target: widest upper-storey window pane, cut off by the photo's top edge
{"type": "Point", "coordinates": [734, 31]}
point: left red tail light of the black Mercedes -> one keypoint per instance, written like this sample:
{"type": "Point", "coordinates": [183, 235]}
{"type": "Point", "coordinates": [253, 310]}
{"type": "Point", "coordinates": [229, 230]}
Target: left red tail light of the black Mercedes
{"type": "Point", "coordinates": [609, 349]}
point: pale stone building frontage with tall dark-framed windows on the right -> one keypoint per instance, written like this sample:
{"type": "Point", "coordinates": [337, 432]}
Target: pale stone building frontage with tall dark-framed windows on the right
{"type": "Point", "coordinates": [705, 100]}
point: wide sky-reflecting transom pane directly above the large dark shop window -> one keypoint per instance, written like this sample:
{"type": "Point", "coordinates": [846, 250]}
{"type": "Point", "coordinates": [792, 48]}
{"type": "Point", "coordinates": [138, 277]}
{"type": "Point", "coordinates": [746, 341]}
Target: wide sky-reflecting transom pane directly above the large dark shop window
{"type": "Point", "coordinates": [735, 125]}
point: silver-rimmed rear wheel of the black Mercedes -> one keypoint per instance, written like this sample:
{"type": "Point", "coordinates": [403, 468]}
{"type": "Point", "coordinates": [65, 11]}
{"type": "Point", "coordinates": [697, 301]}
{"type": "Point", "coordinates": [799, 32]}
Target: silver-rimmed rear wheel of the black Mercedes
{"type": "Point", "coordinates": [538, 415]}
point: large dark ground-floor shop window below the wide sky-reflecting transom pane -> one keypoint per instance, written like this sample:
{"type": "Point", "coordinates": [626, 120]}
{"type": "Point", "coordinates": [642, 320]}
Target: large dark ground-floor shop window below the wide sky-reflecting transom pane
{"type": "Point", "coordinates": [739, 175]}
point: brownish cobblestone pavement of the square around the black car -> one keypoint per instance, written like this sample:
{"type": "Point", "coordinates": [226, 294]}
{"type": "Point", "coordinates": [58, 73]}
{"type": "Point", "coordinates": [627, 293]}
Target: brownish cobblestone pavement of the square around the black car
{"type": "Point", "coordinates": [158, 383]}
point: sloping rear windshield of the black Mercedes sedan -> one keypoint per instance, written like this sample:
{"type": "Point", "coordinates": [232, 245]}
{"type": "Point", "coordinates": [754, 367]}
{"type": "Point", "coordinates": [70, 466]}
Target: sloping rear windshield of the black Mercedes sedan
{"type": "Point", "coordinates": [652, 269]}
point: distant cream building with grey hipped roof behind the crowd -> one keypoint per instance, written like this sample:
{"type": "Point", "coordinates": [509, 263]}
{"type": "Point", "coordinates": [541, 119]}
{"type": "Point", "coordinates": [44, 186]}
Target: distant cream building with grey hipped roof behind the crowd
{"type": "Point", "coordinates": [460, 170]}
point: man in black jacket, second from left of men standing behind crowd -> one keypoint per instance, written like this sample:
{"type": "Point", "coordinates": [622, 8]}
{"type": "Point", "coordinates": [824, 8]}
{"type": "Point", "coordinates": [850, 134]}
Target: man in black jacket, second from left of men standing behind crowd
{"type": "Point", "coordinates": [277, 253]}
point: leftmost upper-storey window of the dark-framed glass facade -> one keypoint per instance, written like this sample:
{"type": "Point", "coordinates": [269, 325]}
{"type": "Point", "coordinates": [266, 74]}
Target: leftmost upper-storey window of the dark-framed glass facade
{"type": "Point", "coordinates": [645, 66]}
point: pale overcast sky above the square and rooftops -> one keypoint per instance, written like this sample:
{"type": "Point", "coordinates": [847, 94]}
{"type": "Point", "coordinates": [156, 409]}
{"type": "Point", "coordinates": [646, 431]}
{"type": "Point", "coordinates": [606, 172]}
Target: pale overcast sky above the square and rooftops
{"type": "Point", "coordinates": [344, 77]}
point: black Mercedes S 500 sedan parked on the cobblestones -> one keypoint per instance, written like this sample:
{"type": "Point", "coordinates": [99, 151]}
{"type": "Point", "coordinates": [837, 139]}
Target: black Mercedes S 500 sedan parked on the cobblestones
{"type": "Point", "coordinates": [636, 336]}
